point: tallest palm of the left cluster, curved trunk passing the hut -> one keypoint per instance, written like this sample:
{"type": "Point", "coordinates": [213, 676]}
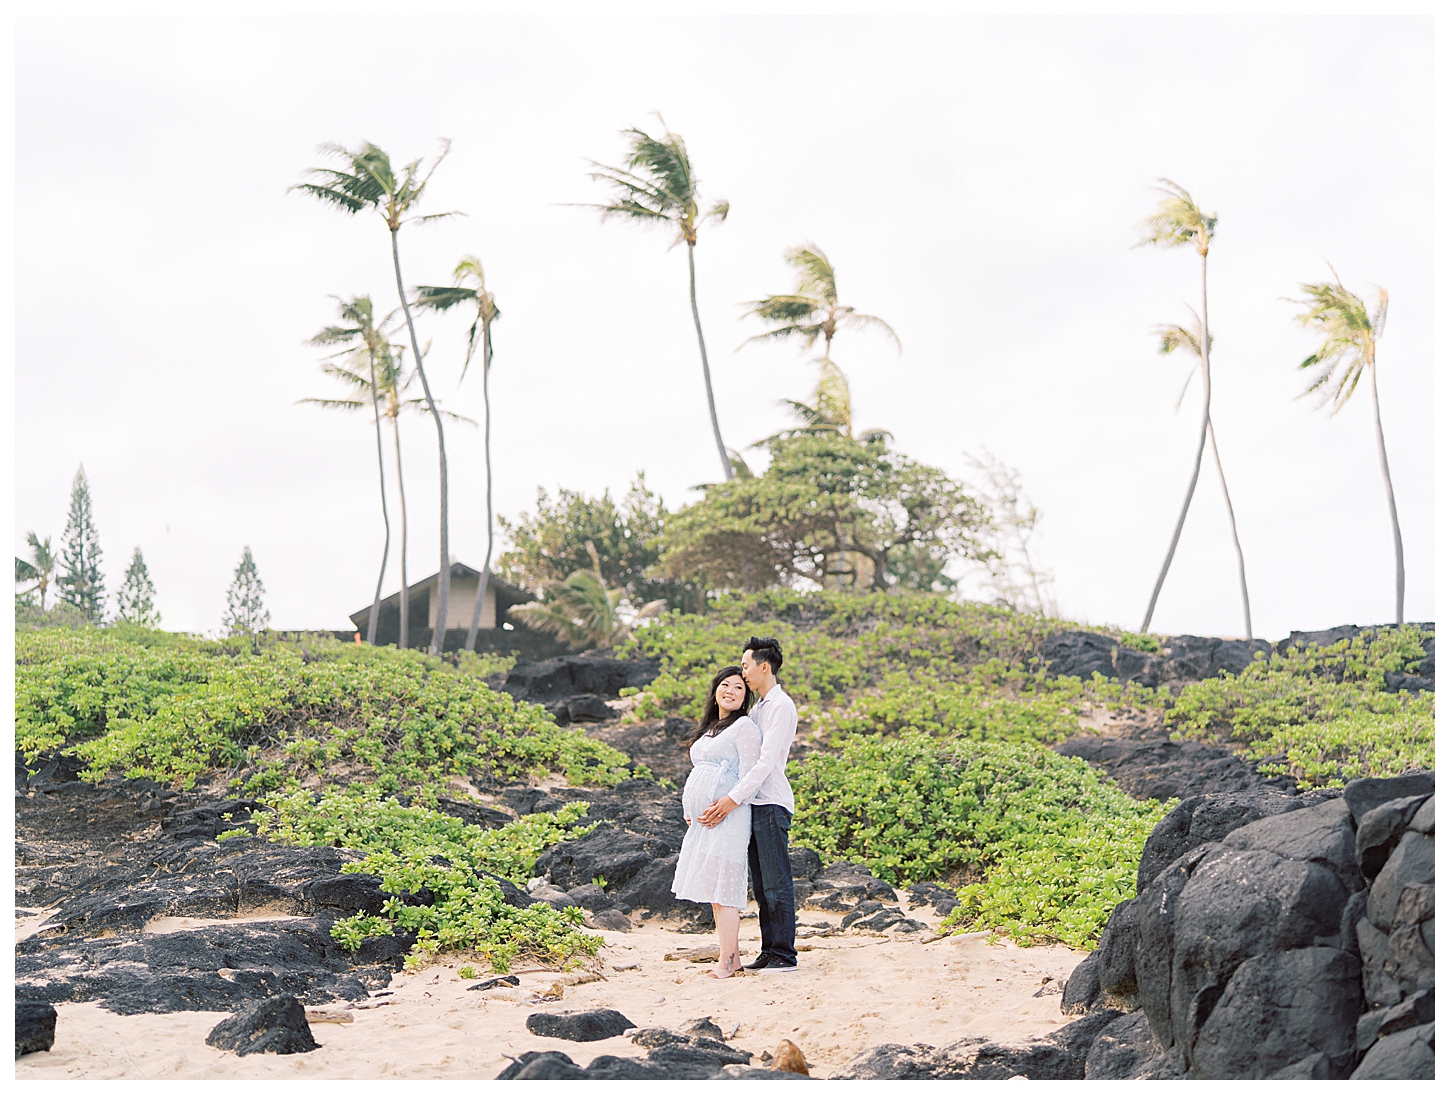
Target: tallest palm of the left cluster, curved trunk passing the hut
{"type": "Point", "coordinates": [369, 182]}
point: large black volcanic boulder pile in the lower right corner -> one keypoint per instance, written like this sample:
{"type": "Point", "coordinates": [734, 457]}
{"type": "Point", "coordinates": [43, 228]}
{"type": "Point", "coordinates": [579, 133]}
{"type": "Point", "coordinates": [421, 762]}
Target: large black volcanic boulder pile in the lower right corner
{"type": "Point", "coordinates": [1274, 938]}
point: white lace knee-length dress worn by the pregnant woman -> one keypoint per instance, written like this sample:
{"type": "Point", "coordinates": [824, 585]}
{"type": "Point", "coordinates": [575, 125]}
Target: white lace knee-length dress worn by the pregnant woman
{"type": "Point", "coordinates": [713, 864]}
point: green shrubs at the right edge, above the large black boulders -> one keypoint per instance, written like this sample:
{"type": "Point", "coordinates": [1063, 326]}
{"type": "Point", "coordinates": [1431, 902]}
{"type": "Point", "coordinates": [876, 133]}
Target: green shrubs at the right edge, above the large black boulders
{"type": "Point", "coordinates": [1320, 714]}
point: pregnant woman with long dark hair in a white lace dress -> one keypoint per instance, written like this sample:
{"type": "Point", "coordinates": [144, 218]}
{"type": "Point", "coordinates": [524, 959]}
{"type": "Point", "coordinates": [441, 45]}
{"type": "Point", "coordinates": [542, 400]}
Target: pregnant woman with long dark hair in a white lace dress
{"type": "Point", "coordinates": [713, 865]}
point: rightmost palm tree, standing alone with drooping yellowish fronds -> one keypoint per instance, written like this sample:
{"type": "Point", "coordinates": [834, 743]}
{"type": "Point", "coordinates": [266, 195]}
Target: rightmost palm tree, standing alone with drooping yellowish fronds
{"type": "Point", "coordinates": [1351, 334]}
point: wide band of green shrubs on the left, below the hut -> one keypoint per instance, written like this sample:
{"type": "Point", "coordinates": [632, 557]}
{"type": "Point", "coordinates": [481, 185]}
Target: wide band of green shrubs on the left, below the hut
{"type": "Point", "coordinates": [270, 714]}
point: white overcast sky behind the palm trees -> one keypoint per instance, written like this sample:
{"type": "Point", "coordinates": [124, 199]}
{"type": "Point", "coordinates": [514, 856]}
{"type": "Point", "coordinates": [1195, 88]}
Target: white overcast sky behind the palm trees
{"type": "Point", "coordinates": [977, 182]}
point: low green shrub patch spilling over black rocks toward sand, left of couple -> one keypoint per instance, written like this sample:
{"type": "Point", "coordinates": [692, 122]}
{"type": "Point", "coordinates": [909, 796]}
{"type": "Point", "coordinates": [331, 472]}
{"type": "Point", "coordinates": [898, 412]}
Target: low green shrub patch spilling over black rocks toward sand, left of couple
{"type": "Point", "coordinates": [404, 846]}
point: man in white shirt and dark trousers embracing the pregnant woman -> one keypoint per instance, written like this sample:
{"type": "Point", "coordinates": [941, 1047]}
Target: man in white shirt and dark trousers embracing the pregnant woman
{"type": "Point", "coordinates": [772, 806]}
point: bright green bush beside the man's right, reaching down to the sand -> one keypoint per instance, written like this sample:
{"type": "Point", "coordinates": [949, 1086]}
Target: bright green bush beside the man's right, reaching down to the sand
{"type": "Point", "coordinates": [1051, 846]}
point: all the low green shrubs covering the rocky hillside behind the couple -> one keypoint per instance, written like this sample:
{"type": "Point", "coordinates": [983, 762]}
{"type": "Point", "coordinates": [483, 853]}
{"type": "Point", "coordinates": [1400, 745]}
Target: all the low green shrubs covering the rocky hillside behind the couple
{"type": "Point", "coordinates": [927, 726]}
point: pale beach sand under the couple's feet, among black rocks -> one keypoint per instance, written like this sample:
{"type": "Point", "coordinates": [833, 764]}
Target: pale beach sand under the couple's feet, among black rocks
{"type": "Point", "coordinates": [852, 993]}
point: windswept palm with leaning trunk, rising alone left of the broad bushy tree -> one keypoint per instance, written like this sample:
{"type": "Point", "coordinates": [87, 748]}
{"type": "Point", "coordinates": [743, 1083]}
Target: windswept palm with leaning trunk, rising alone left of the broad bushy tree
{"type": "Point", "coordinates": [658, 185]}
